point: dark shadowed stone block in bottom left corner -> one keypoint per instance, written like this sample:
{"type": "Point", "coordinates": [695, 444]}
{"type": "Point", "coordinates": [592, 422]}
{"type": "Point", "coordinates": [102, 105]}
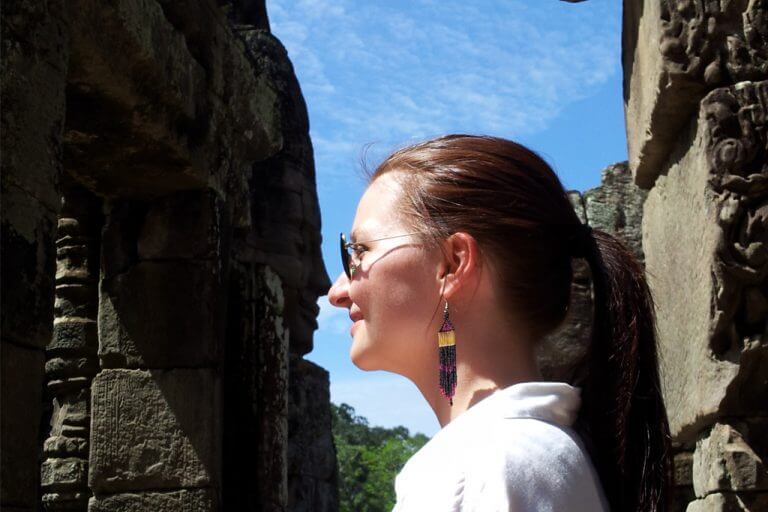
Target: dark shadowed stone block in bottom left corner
{"type": "Point", "coordinates": [21, 384]}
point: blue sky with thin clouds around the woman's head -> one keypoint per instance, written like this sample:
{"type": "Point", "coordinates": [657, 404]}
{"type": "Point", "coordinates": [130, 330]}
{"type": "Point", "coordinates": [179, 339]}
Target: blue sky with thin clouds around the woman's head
{"type": "Point", "coordinates": [379, 75]}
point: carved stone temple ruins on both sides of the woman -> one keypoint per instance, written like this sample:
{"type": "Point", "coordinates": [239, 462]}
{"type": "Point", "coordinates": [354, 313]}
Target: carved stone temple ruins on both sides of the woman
{"type": "Point", "coordinates": [160, 235]}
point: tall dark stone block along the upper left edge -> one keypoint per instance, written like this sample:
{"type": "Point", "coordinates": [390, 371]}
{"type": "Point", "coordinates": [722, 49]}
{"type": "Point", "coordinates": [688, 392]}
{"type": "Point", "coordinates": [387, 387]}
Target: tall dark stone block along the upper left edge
{"type": "Point", "coordinates": [32, 89]}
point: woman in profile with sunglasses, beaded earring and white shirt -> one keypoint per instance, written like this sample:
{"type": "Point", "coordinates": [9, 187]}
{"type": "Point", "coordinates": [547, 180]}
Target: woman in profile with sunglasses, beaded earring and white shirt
{"type": "Point", "coordinates": [459, 263]}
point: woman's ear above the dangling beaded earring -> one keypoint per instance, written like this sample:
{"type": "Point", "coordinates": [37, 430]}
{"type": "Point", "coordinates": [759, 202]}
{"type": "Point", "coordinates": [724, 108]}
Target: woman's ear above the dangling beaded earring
{"type": "Point", "coordinates": [460, 269]}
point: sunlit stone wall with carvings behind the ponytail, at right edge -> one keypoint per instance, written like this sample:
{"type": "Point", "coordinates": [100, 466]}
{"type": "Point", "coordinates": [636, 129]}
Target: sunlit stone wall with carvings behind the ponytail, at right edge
{"type": "Point", "coordinates": [696, 97]}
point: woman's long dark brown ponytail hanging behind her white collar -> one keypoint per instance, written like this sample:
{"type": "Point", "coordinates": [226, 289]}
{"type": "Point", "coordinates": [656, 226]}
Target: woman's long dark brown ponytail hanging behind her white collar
{"type": "Point", "coordinates": [623, 413]}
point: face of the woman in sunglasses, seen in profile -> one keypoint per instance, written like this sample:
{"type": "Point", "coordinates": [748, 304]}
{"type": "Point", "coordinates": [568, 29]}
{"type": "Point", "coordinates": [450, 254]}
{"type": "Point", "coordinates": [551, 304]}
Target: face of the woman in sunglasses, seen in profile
{"type": "Point", "coordinates": [395, 292]}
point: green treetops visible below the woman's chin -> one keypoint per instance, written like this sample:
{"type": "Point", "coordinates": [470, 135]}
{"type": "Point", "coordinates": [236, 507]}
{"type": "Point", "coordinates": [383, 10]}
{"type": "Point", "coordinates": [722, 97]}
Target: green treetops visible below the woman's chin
{"type": "Point", "coordinates": [369, 459]}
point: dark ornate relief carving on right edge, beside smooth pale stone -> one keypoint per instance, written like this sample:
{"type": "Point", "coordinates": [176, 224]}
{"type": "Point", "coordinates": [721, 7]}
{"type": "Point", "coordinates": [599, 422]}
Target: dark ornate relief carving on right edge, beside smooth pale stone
{"type": "Point", "coordinates": [736, 126]}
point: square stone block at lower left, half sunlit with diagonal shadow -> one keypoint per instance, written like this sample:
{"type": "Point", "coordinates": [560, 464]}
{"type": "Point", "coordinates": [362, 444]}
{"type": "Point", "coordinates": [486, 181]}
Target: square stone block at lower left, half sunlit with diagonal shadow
{"type": "Point", "coordinates": [154, 430]}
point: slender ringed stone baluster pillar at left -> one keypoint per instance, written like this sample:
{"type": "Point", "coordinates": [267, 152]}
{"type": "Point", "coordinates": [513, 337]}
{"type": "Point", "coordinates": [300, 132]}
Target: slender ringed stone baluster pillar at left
{"type": "Point", "coordinates": [71, 355]}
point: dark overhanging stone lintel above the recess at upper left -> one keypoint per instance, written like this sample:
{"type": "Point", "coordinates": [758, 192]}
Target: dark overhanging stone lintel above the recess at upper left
{"type": "Point", "coordinates": [206, 108]}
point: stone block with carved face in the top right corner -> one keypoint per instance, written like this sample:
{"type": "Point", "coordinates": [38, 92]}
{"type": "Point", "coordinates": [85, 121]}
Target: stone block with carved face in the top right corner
{"type": "Point", "coordinates": [674, 52]}
